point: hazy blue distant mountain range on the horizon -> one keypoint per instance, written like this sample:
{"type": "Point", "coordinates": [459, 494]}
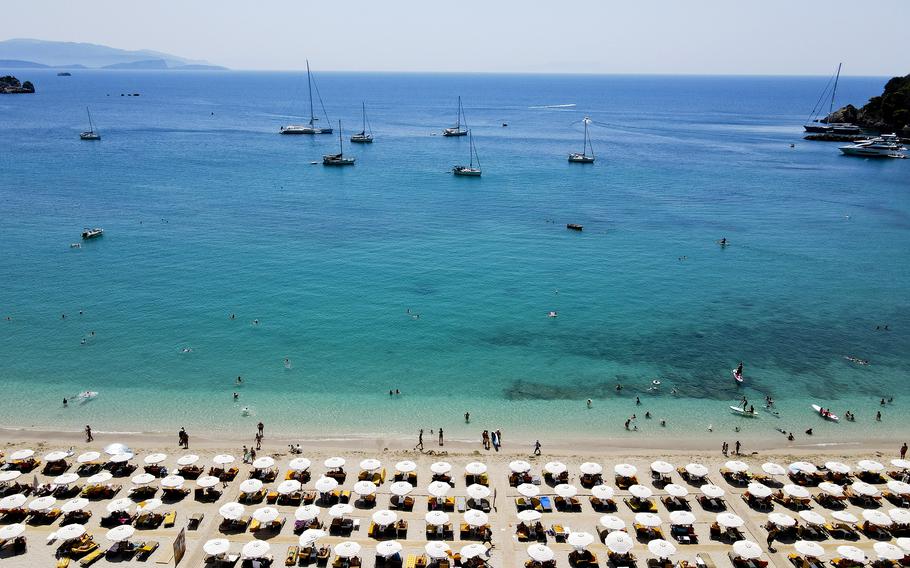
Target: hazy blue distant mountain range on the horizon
{"type": "Point", "coordinates": [36, 54]}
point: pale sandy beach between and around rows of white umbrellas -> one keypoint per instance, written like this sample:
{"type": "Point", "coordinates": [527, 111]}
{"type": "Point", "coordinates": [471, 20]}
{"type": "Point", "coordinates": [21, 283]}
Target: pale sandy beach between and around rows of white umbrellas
{"type": "Point", "coordinates": [507, 551]}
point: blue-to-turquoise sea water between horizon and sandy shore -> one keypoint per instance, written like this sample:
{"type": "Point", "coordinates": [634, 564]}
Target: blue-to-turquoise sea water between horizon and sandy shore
{"type": "Point", "coordinates": [208, 211]}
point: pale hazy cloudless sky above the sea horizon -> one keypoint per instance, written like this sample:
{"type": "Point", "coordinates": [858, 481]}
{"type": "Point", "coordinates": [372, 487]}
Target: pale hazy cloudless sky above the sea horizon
{"type": "Point", "coordinates": [577, 36]}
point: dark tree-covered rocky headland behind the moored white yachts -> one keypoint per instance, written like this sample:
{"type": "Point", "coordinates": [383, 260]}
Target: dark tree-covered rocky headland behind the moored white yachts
{"type": "Point", "coordinates": [888, 112]}
